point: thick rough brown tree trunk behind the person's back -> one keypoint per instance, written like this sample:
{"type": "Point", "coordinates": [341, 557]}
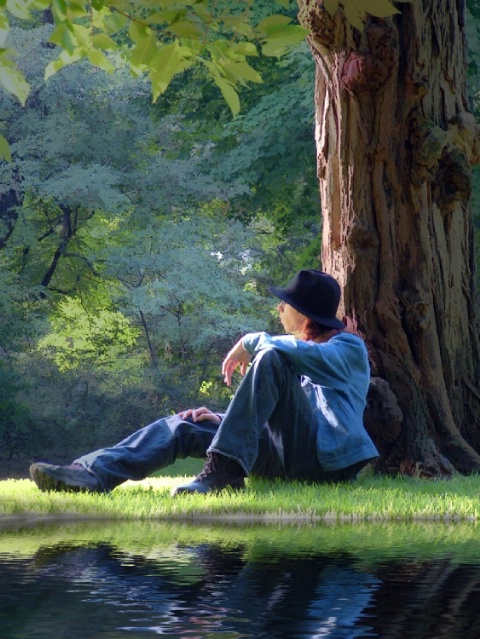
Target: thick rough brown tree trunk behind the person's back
{"type": "Point", "coordinates": [395, 144]}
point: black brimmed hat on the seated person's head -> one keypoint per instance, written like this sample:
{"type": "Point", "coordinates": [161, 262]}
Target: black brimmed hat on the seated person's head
{"type": "Point", "coordinates": [314, 294]}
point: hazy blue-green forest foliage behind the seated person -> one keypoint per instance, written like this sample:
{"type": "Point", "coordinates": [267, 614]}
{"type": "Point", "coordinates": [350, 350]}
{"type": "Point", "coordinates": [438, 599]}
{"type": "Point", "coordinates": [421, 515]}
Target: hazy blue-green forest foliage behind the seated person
{"type": "Point", "coordinates": [138, 239]}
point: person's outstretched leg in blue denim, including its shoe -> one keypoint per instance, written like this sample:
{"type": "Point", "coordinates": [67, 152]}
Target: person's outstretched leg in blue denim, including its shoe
{"type": "Point", "coordinates": [151, 448]}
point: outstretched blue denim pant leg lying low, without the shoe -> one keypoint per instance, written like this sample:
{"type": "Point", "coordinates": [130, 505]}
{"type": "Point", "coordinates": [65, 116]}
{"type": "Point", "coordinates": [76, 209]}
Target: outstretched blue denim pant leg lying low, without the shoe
{"type": "Point", "coordinates": [149, 449]}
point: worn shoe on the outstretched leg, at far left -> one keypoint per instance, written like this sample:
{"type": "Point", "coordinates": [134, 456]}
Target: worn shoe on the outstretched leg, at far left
{"type": "Point", "coordinates": [73, 478]}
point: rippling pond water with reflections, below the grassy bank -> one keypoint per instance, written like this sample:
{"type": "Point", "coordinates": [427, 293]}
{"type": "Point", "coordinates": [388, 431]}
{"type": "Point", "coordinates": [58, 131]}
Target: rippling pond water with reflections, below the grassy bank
{"type": "Point", "coordinates": [136, 581]}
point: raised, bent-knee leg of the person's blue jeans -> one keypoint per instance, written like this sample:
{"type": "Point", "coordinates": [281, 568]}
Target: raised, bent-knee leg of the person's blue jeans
{"type": "Point", "coordinates": [270, 428]}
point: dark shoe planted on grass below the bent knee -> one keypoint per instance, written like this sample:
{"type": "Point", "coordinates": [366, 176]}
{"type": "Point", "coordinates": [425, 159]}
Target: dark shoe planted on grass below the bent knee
{"type": "Point", "coordinates": [218, 473]}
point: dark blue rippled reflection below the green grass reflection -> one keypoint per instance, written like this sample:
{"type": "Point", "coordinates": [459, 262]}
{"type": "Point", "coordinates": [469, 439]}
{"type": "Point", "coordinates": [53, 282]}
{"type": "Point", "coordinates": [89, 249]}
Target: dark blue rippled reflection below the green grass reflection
{"type": "Point", "coordinates": [86, 589]}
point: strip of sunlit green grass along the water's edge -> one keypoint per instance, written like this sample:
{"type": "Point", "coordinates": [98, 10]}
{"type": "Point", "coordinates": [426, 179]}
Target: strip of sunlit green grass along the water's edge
{"type": "Point", "coordinates": [369, 499]}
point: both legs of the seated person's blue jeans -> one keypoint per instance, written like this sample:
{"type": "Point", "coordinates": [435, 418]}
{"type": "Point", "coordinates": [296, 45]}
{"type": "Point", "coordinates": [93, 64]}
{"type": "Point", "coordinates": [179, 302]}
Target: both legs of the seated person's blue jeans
{"type": "Point", "coordinates": [269, 429]}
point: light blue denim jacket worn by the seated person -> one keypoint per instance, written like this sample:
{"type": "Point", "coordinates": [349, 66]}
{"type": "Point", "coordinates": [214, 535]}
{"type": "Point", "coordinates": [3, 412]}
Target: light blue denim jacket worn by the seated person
{"type": "Point", "coordinates": [335, 376]}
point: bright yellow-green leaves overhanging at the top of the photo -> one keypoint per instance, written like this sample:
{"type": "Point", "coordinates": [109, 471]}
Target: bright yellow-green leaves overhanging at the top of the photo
{"type": "Point", "coordinates": [165, 38]}
